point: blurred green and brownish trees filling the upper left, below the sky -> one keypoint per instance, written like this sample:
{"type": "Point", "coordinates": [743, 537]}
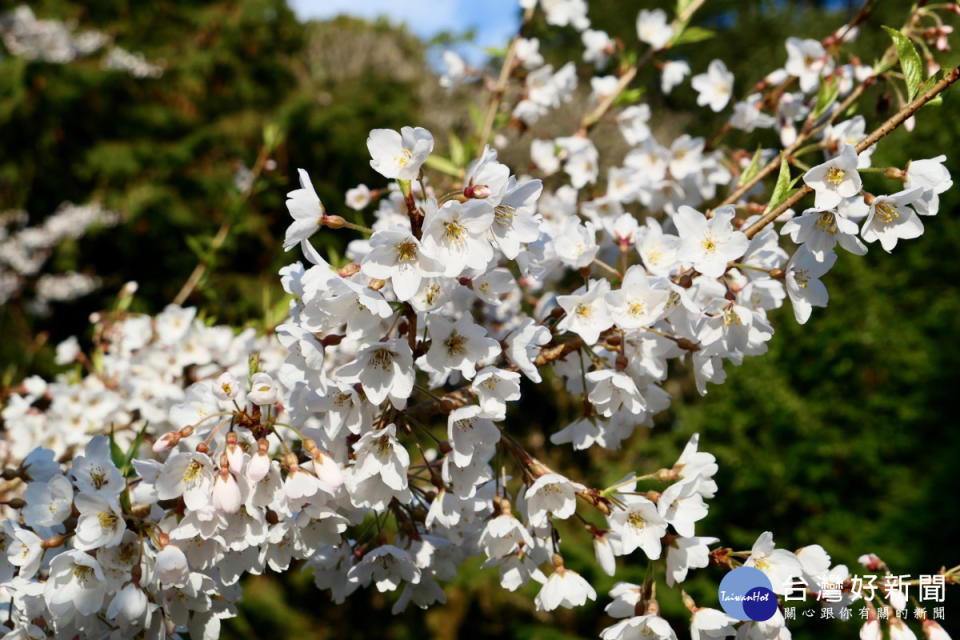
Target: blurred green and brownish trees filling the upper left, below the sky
{"type": "Point", "coordinates": [171, 154]}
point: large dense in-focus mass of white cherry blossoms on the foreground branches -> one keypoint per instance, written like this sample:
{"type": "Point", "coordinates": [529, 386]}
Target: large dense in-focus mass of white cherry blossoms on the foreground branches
{"type": "Point", "coordinates": [370, 436]}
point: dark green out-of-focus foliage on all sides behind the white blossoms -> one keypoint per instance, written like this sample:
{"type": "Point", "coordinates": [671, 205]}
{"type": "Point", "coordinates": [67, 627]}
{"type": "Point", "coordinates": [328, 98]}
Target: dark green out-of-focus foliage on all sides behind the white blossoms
{"type": "Point", "coordinates": [843, 434]}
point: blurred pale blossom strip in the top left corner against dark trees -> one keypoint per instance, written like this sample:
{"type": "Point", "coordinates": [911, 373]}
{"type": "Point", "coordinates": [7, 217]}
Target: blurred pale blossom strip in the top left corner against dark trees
{"type": "Point", "coordinates": [53, 41]}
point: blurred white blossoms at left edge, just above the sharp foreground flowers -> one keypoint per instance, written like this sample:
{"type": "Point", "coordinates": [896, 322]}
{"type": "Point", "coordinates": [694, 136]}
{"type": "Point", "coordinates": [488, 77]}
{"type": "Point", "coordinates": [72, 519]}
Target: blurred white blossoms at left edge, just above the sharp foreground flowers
{"type": "Point", "coordinates": [24, 251]}
